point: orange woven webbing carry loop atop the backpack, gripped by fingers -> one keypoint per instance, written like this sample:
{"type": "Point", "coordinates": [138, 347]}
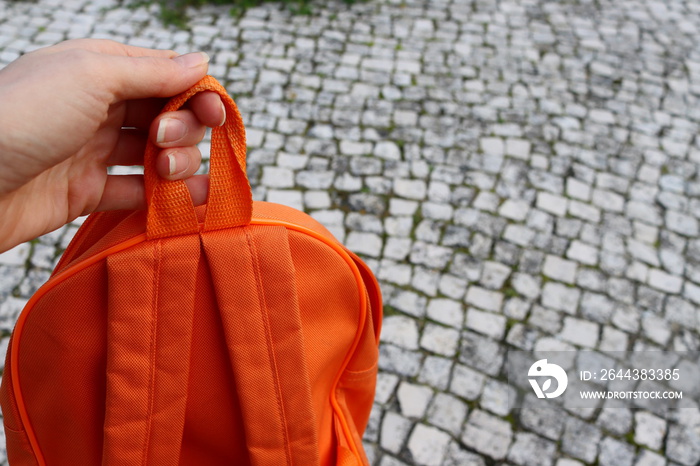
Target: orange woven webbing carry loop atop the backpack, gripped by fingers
{"type": "Point", "coordinates": [230, 199]}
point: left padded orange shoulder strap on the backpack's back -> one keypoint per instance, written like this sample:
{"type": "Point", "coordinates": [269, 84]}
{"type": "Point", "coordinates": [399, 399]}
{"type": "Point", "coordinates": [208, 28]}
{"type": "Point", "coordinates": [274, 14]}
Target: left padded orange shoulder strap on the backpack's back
{"type": "Point", "coordinates": [150, 310]}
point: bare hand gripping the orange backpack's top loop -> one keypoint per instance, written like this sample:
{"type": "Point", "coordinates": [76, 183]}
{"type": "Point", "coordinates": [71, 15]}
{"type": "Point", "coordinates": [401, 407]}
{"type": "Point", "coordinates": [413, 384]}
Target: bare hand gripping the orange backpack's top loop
{"type": "Point", "coordinates": [69, 111]}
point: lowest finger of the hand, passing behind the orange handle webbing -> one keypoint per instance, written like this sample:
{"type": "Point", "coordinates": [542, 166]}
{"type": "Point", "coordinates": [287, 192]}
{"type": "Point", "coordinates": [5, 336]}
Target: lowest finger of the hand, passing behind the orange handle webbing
{"type": "Point", "coordinates": [127, 192]}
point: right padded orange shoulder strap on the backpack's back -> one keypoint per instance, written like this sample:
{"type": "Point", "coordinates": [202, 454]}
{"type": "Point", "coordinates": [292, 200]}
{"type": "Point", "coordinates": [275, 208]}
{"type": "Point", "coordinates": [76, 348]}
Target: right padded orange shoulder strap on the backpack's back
{"type": "Point", "coordinates": [256, 292]}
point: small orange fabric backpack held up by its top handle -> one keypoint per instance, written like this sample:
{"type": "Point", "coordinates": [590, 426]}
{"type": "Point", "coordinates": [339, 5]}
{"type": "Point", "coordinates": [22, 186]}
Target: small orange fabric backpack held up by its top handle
{"type": "Point", "coordinates": [234, 333]}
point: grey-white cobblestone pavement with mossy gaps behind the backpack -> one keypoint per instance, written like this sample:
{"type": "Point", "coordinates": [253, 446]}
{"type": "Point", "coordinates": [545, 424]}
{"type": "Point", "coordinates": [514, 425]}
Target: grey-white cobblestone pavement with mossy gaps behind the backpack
{"type": "Point", "coordinates": [520, 174]}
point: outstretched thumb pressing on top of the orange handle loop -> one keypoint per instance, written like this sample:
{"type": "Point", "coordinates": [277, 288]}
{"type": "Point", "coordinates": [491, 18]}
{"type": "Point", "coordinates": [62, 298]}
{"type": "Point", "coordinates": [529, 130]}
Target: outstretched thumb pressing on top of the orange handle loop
{"type": "Point", "coordinates": [146, 77]}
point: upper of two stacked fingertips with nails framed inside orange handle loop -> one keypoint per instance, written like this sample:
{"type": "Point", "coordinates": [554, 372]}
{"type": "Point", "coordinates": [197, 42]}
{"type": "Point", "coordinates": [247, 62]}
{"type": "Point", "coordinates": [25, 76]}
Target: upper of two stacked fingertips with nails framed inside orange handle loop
{"type": "Point", "coordinates": [177, 129]}
